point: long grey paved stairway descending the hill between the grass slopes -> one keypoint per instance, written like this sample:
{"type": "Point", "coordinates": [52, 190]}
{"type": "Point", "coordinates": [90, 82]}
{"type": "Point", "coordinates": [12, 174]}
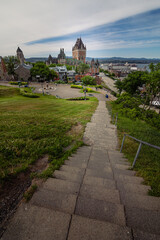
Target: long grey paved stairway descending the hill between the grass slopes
{"type": "Point", "coordinates": [92, 197]}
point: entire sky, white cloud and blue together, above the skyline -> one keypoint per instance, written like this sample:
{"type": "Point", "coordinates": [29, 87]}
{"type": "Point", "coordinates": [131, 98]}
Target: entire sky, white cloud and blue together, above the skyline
{"type": "Point", "coordinates": [123, 28]}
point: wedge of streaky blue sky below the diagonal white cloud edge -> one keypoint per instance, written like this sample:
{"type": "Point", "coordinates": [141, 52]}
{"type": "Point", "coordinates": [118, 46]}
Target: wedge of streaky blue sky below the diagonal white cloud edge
{"type": "Point", "coordinates": [135, 36]}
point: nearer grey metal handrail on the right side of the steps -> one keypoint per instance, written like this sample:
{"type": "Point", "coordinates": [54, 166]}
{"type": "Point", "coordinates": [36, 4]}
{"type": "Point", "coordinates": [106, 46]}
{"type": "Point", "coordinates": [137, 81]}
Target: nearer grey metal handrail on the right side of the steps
{"type": "Point", "coordinates": [139, 148]}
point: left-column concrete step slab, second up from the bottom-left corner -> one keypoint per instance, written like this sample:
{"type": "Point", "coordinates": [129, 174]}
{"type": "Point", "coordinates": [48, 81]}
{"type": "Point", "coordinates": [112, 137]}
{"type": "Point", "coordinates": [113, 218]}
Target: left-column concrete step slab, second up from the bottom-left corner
{"type": "Point", "coordinates": [55, 200]}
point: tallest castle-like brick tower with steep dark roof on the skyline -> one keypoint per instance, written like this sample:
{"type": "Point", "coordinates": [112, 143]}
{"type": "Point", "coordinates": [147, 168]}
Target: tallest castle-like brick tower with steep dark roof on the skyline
{"type": "Point", "coordinates": [79, 50]}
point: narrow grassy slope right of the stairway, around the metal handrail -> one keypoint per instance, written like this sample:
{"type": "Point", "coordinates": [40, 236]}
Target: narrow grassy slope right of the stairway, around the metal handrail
{"type": "Point", "coordinates": [148, 162]}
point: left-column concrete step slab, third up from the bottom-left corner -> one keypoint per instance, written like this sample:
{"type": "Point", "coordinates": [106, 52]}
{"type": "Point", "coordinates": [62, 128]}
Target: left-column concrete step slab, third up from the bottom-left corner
{"type": "Point", "coordinates": [59, 185]}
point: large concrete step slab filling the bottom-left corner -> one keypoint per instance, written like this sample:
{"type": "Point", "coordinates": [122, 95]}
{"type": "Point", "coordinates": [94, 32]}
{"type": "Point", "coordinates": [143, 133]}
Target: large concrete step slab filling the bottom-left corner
{"type": "Point", "coordinates": [32, 222]}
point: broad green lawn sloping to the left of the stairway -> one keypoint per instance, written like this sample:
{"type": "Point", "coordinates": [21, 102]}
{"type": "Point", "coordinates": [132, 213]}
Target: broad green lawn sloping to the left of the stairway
{"type": "Point", "coordinates": [33, 127]}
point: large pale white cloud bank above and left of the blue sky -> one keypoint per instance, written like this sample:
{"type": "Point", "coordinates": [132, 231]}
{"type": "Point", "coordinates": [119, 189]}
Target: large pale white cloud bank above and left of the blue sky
{"type": "Point", "coordinates": [22, 21]}
